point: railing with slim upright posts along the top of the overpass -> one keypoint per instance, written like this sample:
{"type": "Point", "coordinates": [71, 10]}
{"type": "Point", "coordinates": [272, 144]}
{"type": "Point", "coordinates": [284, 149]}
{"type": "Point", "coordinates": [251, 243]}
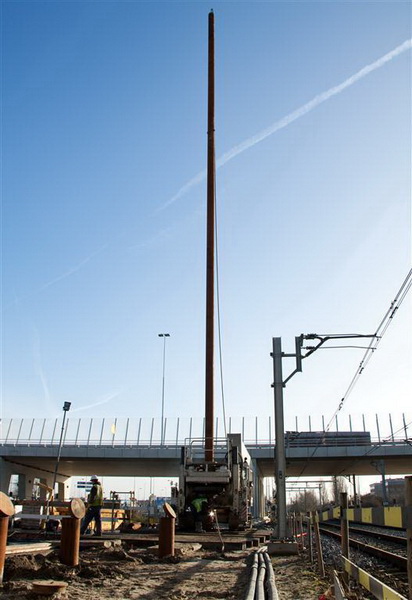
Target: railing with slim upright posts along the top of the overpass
{"type": "Point", "coordinates": [257, 431]}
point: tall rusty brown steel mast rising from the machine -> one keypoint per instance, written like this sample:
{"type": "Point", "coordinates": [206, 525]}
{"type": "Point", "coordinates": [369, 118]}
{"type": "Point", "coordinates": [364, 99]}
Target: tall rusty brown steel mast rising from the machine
{"type": "Point", "coordinates": [210, 251]}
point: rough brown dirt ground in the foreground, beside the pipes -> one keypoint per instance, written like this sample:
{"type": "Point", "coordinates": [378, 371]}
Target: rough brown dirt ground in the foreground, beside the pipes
{"type": "Point", "coordinates": [138, 574]}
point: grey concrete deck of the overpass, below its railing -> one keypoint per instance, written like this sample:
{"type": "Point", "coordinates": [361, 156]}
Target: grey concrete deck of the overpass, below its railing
{"type": "Point", "coordinates": [36, 460]}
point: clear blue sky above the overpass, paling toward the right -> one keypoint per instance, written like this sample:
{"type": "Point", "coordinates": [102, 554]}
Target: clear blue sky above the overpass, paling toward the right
{"type": "Point", "coordinates": [104, 116]}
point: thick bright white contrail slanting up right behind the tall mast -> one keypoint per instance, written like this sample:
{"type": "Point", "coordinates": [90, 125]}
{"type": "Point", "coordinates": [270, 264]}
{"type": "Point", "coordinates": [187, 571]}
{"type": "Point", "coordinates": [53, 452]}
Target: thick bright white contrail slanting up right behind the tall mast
{"type": "Point", "coordinates": [293, 116]}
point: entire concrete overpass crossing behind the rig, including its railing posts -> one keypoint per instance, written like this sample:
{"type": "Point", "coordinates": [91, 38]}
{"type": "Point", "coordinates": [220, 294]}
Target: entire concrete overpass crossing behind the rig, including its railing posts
{"type": "Point", "coordinates": [307, 454]}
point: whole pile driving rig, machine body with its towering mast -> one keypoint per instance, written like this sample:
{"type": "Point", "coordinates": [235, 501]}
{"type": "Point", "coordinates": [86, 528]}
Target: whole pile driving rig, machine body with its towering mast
{"type": "Point", "coordinates": [221, 475]}
